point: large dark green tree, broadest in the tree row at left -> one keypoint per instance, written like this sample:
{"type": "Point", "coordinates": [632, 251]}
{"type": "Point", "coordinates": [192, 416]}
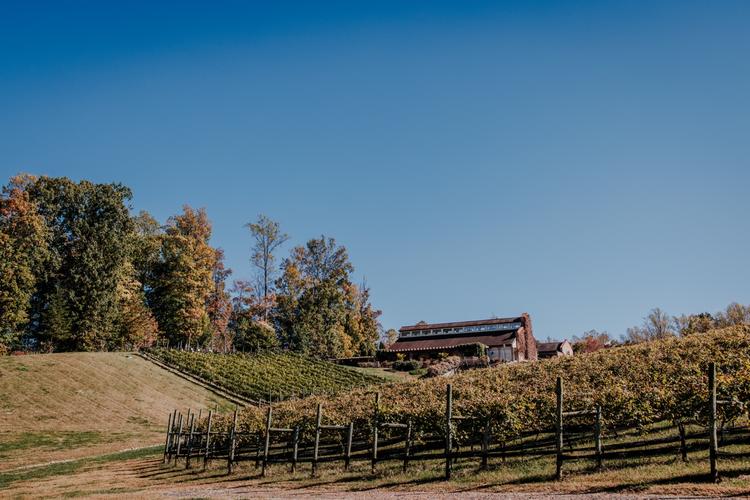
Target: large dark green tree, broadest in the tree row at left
{"type": "Point", "coordinates": [89, 227]}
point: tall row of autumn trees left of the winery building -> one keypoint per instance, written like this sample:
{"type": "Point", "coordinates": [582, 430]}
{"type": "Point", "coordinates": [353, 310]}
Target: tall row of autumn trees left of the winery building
{"type": "Point", "coordinates": [80, 272]}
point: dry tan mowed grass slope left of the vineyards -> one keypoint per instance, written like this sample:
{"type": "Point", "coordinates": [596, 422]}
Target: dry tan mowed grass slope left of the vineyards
{"type": "Point", "coordinates": [70, 405]}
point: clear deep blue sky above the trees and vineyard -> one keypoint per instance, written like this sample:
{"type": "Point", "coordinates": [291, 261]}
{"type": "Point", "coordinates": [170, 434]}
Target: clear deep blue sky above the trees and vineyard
{"type": "Point", "coordinates": [582, 161]}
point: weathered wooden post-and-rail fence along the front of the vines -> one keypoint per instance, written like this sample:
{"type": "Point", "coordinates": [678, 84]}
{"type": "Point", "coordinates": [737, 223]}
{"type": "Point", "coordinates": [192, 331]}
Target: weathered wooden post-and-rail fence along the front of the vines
{"type": "Point", "coordinates": [389, 441]}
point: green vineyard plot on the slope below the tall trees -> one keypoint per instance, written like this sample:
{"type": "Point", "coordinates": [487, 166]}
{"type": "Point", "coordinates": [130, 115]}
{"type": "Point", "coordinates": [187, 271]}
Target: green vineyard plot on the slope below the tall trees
{"type": "Point", "coordinates": [268, 376]}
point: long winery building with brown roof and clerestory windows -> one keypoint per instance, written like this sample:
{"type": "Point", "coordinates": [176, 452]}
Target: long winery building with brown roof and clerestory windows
{"type": "Point", "coordinates": [505, 339]}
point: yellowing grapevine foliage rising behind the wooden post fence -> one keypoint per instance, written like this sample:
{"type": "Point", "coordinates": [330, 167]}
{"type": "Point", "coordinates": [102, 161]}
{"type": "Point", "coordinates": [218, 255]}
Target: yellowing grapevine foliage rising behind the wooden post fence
{"type": "Point", "coordinates": [635, 385]}
